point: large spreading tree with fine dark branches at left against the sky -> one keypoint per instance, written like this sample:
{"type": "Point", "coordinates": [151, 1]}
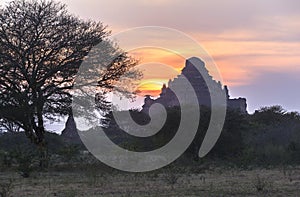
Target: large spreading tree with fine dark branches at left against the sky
{"type": "Point", "coordinates": [41, 49]}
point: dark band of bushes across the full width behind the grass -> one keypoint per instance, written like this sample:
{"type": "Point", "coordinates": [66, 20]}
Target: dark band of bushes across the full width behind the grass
{"type": "Point", "coordinates": [269, 137]}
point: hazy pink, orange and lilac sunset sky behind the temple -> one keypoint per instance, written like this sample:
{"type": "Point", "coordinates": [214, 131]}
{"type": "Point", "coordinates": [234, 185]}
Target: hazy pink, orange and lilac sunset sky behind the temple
{"type": "Point", "coordinates": [255, 44]}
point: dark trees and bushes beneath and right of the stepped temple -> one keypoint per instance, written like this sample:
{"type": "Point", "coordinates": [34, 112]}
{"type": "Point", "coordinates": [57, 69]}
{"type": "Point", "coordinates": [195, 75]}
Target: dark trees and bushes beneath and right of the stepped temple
{"type": "Point", "coordinates": [270, 136]}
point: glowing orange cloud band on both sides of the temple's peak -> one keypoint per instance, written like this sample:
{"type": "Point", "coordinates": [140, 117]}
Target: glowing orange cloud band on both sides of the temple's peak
{"type": "Point", "coordinates": [240, 57]}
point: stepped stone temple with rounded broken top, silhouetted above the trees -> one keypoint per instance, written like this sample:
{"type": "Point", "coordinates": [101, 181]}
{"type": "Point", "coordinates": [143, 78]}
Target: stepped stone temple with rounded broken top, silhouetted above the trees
{"type": "Point", "coordinates": [198, 82]}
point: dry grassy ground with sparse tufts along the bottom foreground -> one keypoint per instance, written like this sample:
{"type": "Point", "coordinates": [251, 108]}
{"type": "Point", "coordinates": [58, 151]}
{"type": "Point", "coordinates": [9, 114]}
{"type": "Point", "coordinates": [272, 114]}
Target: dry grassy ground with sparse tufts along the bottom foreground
{"type": "Point", "coordinates": [210, 182]}
